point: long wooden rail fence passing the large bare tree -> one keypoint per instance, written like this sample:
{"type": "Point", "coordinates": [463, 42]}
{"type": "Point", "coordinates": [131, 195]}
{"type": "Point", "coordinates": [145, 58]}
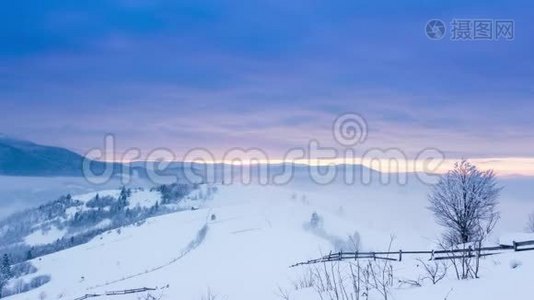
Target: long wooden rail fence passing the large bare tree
{"type": "Point", "coordinates": [434, 254]}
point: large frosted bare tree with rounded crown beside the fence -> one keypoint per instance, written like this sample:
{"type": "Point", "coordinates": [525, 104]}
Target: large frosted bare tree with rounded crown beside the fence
{"type": "Point", "coordinates": [464, 201]}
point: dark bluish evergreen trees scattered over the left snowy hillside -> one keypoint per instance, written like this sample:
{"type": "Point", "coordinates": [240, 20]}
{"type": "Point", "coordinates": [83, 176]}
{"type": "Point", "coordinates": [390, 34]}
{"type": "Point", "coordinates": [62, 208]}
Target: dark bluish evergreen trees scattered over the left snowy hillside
{"type": "Point", "coordinates": [82, 226]}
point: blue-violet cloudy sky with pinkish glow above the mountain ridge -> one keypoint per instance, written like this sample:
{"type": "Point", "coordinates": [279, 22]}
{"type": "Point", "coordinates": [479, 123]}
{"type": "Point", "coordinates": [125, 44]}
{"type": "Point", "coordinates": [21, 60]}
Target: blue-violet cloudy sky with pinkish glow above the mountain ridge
{"type": "Point", "coordinates": [272, 75]}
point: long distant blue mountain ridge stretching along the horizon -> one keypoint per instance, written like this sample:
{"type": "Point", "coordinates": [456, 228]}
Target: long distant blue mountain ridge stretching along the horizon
{"type": "Point", "coordinates": [24, 158]}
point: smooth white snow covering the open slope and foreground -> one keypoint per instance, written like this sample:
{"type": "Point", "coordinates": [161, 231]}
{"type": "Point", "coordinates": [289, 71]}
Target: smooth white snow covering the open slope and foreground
{"type": "Point", "coordinates": [240, 244]}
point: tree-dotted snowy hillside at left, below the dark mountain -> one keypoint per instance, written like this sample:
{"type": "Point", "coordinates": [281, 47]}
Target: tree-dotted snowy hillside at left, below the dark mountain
{"type": "Point", "coordinates": [73, 220]}
